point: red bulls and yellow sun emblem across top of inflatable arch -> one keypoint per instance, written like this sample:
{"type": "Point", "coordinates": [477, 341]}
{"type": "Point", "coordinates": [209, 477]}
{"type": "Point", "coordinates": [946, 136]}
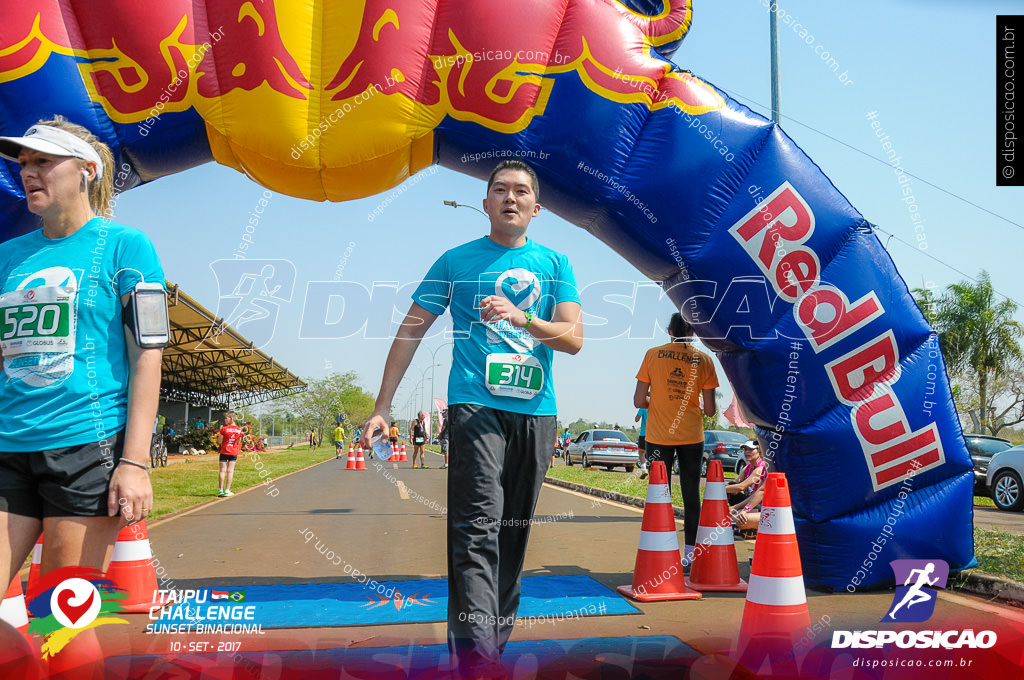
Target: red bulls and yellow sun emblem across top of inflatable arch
{"type": "Point", "coordinates": [375, 77]}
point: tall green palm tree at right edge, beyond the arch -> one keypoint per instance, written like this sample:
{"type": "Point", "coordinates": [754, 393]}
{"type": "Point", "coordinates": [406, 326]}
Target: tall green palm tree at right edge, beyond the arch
{"type": "Point", "coordinates": [979, 339]}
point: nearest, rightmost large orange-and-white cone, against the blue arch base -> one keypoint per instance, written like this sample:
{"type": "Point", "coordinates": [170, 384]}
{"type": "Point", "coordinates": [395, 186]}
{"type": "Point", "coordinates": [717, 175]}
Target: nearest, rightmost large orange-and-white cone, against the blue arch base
{"type": "Point", "coordinates": [776, 613]}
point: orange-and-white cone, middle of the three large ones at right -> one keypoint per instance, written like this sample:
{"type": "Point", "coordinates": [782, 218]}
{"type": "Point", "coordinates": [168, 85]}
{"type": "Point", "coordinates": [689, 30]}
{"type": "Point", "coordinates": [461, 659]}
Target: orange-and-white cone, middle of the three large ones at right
{"type": "Point", "coordinates": [715, 567]}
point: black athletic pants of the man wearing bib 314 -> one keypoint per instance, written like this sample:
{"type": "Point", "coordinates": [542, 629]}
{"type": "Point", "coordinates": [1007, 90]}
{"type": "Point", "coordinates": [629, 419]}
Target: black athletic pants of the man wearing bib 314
{"type": "Point", "coordinates": [498, 461]}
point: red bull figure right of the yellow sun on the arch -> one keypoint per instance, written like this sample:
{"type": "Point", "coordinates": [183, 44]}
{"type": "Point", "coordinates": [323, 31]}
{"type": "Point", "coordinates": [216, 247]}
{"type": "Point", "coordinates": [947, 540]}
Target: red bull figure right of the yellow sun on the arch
{"type": "Point", "coordinates": [515, 70]}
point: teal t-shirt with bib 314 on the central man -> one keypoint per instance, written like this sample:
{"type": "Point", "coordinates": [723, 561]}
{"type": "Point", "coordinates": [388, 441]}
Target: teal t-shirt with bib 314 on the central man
{"type": "Point", "coordinates": [497, 365]}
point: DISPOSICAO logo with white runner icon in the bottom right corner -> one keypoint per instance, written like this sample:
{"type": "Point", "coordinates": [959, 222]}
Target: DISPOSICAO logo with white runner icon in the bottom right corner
{"type": "Point", "coordinates": [915, 603]}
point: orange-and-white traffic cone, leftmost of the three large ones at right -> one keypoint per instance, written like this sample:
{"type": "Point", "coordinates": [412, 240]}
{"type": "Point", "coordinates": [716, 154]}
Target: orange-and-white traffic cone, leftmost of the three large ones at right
{"type": "Point", "coordinates": [658, 575]}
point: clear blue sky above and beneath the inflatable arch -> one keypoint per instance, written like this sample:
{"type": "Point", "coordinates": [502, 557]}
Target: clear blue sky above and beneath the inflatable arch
{"type": "Point", "coordinates": [928, 69]}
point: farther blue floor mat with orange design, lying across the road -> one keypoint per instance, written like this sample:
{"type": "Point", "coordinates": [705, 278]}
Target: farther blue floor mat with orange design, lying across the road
{"type": "Point", "coordinates": [314, 606]}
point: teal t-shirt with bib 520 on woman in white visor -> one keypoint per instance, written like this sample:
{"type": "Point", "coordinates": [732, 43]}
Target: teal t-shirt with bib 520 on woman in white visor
{"type": "Point", "coordinates": [65, 361]}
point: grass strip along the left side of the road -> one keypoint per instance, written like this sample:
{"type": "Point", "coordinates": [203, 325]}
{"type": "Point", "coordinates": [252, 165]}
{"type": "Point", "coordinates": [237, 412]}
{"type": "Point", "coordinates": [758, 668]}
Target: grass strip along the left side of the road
{"type": "Point", "coordinates": [195, 480]}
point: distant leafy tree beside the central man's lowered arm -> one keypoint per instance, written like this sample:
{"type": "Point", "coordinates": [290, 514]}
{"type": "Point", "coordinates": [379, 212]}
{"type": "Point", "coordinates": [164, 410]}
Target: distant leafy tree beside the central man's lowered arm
{"type": "Point", "coordinates": [326, 398]}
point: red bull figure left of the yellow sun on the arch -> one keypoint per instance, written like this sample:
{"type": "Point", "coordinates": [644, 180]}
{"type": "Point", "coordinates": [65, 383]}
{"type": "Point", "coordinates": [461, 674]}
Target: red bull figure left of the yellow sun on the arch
{"type": "Point", "coordinates": [166, 58]}
